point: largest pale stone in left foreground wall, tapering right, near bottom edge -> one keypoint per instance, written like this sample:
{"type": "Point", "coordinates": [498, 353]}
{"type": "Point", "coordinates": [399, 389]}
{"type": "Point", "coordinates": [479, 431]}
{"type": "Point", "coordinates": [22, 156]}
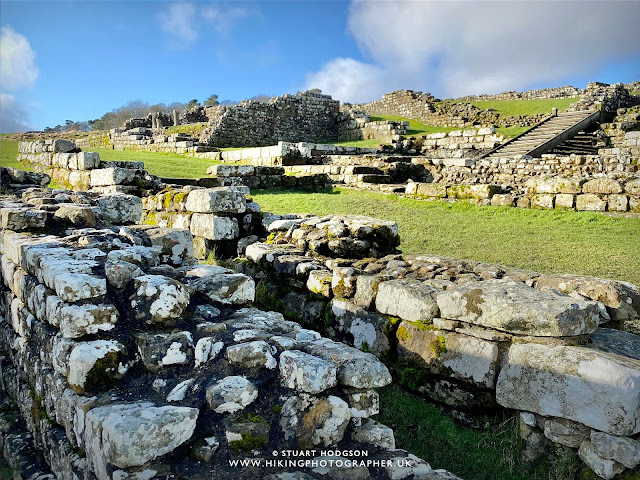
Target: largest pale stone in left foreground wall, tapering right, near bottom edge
{"type": "Point", "coordinates": [130, 435]}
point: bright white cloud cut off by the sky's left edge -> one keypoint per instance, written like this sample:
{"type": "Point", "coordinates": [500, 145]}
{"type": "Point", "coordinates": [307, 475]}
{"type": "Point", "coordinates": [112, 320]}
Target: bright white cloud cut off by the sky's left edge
{"type": "Point", "coordinates": [17, 60]}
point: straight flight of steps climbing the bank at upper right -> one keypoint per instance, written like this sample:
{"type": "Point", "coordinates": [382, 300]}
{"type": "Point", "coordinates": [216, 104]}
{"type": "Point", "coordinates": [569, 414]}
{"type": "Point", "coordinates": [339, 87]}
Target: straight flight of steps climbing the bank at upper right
{"type": "Point", "coordinates": [547, 135]}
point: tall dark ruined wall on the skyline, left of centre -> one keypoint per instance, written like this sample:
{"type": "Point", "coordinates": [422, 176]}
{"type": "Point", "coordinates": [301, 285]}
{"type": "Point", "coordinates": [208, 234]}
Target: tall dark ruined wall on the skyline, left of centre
{"type": "Point", "coordinates": [306, 116]}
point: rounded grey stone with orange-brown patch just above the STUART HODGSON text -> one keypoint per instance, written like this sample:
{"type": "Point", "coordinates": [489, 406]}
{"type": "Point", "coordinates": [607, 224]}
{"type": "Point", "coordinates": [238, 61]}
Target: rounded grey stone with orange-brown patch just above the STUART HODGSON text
{"type": "Point", "coordinates": [308, 421]}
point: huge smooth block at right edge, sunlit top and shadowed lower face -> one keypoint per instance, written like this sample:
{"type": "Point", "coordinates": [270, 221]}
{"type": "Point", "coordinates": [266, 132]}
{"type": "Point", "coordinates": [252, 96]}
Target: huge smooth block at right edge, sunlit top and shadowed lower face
{"type": "Point", "coordinates": [574, 383]}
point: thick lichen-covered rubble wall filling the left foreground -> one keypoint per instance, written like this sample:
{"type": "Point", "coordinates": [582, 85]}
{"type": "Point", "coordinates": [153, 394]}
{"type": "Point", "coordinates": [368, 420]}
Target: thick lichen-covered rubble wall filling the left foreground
{"type": "Point", "coordinates": [123, 358]}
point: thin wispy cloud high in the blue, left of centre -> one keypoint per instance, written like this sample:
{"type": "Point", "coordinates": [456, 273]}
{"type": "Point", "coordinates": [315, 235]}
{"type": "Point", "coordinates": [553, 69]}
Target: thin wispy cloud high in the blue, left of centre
{"type": "Point", "coordinates": [183, 21]}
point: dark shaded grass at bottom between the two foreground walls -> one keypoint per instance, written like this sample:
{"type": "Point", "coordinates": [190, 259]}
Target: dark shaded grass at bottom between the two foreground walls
{"type": "Point", "coordinates": [492, 454]}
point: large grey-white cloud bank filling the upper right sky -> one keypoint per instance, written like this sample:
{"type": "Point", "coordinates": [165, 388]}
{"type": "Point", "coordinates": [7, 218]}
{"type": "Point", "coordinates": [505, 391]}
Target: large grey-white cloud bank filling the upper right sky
{"type": "Point", "coordinates": [458, 48]}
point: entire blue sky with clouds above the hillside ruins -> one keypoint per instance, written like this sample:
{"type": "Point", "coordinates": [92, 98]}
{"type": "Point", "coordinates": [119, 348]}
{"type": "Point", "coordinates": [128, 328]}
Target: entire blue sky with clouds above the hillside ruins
{"type": "Point", "coordinates": [77, 60]}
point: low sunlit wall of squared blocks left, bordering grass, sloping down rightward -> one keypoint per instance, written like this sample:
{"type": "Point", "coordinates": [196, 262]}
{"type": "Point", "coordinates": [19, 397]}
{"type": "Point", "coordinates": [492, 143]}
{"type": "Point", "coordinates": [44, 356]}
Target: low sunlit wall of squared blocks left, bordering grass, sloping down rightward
{"type": "Point", "coordinates": [63, 161]}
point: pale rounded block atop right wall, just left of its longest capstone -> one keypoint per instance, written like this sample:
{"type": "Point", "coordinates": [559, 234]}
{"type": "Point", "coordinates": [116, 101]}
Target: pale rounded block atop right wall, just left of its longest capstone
{"type": "Point", "coordinates": [408, 299]}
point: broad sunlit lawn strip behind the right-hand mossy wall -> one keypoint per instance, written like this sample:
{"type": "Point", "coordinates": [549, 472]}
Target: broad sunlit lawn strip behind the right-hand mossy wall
{"type": "Point", "coordinates": [545, 241]}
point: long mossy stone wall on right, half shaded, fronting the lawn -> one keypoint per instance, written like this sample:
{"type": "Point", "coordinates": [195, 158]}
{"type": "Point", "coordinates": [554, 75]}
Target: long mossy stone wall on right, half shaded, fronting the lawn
{"type": "Point", "coordinates": [470, 335]}
